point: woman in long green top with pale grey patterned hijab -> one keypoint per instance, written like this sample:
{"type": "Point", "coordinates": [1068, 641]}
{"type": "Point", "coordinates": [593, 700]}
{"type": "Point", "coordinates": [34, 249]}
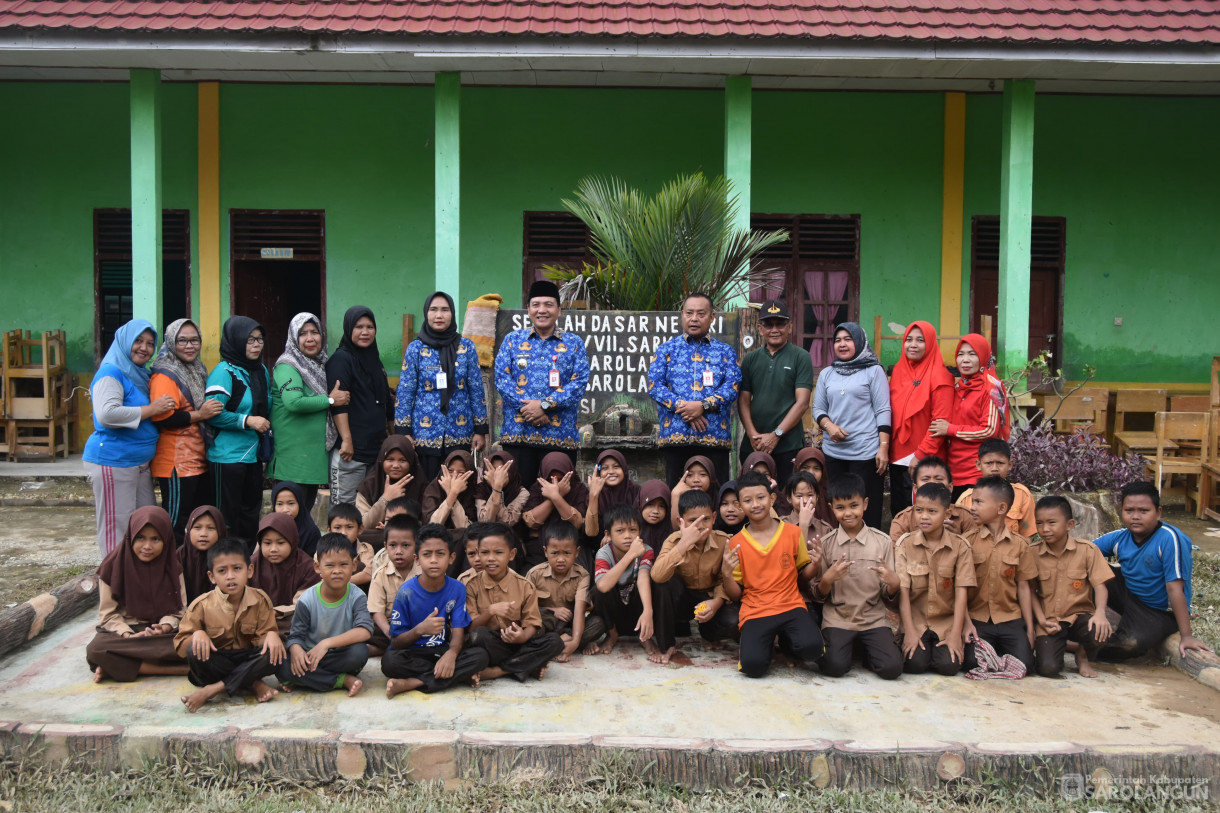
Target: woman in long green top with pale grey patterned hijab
{"type": "Point", "coordinates": [301, 412]}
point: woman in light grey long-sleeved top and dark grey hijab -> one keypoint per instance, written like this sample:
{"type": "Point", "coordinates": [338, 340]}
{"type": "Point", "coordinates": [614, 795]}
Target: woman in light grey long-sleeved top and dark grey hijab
{"type": "Point", "coordinates": [852, 407]}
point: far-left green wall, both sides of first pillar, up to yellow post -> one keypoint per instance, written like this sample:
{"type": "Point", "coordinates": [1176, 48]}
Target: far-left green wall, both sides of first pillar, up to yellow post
{"type": "Point", "coordinates": [71, 156]}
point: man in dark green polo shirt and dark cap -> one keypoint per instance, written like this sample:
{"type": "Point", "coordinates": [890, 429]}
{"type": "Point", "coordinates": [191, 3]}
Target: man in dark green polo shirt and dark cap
{"type": "Point", "coordinates": [778, 381]}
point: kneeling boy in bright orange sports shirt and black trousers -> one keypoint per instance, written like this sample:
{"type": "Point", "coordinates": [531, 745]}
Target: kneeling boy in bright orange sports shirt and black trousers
{"type": "Point", "coordinates": [763, 566]}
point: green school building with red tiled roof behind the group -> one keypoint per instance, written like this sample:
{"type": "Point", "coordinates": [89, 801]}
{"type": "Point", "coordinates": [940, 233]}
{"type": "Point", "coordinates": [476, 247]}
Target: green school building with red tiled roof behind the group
{"type": "Point", "coordinates": [1056, 169]}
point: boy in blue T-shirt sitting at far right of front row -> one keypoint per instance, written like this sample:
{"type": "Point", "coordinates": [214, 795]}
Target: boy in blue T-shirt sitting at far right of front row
{"type": "Point", "coordinates": [1152, 590]}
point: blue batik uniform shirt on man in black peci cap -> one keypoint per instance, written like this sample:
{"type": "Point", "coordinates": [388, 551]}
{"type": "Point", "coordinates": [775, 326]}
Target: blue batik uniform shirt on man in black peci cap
{"type": "Point", "coordinates": [523, 373]}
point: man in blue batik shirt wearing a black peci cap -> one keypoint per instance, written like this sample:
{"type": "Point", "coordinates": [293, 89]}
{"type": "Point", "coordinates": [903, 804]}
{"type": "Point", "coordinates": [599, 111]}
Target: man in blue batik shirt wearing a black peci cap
{"type": "Point", "coordinates": [541, 374]}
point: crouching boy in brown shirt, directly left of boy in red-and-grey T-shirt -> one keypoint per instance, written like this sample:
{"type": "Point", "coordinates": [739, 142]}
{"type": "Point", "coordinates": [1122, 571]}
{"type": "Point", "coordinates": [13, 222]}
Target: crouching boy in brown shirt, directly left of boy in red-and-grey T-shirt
{"type": "Point", "coordinates": [564, 593]}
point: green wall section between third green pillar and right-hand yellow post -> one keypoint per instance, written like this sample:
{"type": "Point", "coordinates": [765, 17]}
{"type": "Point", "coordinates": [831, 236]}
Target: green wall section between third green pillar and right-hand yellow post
{"type": "Point", "coordinates": [879, 156]}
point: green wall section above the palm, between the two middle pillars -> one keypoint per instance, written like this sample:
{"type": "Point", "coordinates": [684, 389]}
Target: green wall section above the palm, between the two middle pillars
{"type": "Point", "coordinates": [528, 150]}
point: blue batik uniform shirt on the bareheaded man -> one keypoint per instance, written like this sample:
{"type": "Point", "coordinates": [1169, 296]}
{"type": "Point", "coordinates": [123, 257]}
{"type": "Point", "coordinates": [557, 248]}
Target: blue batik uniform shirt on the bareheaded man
{"type": "Point", "coordinates": [678, 373]}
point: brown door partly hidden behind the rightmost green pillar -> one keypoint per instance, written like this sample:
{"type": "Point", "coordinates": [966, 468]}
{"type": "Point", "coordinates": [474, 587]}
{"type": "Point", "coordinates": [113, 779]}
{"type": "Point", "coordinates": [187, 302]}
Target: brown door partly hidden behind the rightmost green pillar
{"type": "Point", "coordinates": [1046, 279]}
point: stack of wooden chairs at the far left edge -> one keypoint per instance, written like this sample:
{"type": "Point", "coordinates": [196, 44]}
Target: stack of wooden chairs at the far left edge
{"type": "Point", "coordinates": [38, 413]}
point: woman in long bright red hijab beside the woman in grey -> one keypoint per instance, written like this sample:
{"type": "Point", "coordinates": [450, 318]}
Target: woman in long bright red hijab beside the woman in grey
{"type": "Point", "coordinates": [920, 392]}
